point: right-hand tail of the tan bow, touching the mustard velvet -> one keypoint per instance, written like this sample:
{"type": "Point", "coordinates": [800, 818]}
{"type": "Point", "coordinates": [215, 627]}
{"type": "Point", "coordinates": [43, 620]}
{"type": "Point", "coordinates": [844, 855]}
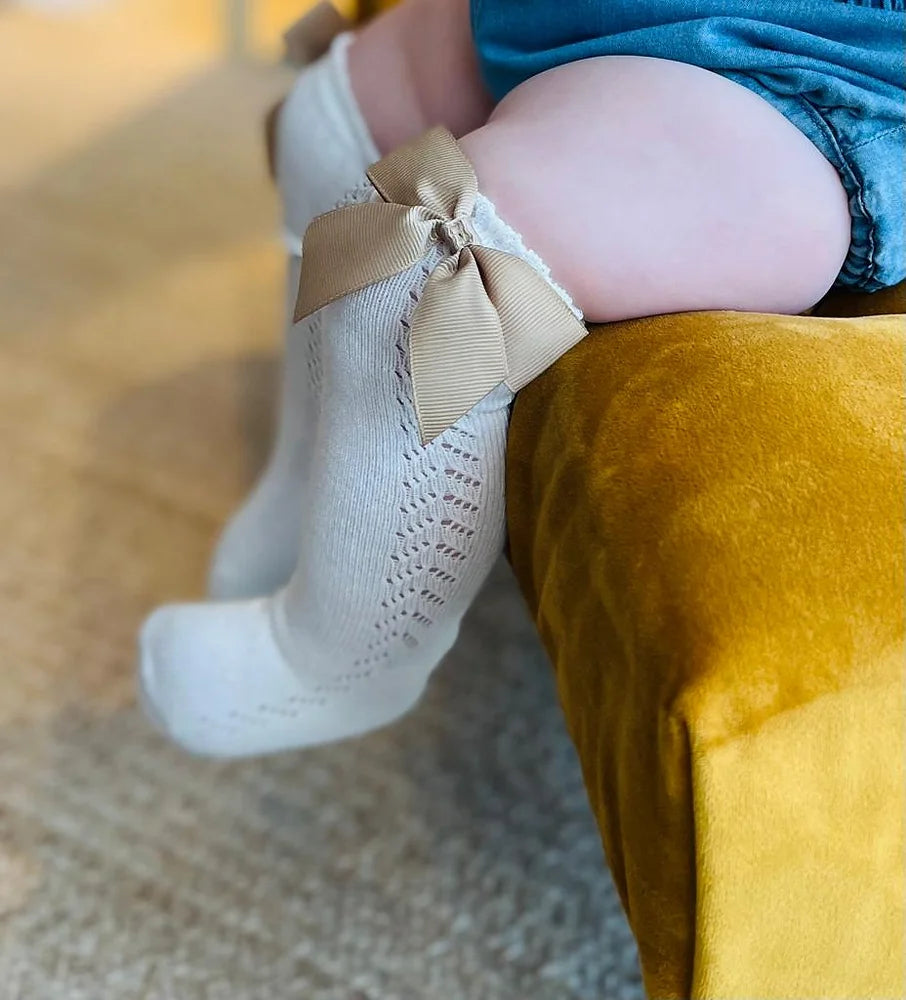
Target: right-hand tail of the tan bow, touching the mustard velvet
{"type": "Point", "coordinates": [538, 326]}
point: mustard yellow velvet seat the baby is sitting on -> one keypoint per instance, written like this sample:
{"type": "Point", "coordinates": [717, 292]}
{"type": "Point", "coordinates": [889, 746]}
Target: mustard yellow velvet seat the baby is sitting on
{"type": "Point", "coordinates": [706, 515]}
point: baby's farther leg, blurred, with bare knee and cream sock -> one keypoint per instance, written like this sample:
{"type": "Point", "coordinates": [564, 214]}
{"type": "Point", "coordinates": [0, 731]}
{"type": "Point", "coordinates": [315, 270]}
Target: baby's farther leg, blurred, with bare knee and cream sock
{"type": "Point", "coordinates": [374, 90]}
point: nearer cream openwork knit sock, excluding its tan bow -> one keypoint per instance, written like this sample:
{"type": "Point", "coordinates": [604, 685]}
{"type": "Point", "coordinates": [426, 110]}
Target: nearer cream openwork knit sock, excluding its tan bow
{"type": "Point", "coordinates": [396, 542]}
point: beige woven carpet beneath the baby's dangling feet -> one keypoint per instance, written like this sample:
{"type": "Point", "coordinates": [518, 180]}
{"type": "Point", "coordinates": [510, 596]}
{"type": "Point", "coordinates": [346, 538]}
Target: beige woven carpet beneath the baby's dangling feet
{"type": "Point", "coordinates": [450, 857]}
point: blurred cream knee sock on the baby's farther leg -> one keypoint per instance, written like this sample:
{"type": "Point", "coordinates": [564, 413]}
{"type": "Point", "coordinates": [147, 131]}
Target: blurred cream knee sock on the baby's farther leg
{"type": "Point", "coordinates": [322, 148]}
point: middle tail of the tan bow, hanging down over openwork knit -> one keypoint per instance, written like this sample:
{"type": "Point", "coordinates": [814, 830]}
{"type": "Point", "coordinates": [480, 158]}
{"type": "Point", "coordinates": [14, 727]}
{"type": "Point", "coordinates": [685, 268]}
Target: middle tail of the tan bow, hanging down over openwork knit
{"type": "Point", "coordinates": [456, 351]}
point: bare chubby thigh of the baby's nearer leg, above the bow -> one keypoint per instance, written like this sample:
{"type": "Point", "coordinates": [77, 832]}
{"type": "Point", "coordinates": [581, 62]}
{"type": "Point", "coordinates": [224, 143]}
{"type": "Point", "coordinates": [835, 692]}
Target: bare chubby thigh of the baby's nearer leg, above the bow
{"type": "Point", "coordinates": [652, 186]}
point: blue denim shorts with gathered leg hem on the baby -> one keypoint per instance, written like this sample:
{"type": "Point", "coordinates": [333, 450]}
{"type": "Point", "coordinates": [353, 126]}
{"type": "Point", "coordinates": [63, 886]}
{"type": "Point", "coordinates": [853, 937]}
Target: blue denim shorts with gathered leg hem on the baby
{"type": "Point", "coordinates": [835, 68]}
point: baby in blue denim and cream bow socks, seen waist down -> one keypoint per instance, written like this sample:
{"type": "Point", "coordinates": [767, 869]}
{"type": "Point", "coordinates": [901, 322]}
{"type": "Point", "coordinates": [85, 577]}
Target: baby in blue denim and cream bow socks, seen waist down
{"type": "Point", "coordinates": [611, 160]}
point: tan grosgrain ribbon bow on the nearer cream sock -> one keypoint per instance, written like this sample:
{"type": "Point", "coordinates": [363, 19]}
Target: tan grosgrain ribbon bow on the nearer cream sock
{"type": "Point", "coordinates": [485, 316]}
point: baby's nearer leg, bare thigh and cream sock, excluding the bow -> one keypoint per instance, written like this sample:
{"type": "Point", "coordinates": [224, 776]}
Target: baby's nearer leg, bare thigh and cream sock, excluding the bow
{"type": "Point", "coordinates": [400, 534]}
